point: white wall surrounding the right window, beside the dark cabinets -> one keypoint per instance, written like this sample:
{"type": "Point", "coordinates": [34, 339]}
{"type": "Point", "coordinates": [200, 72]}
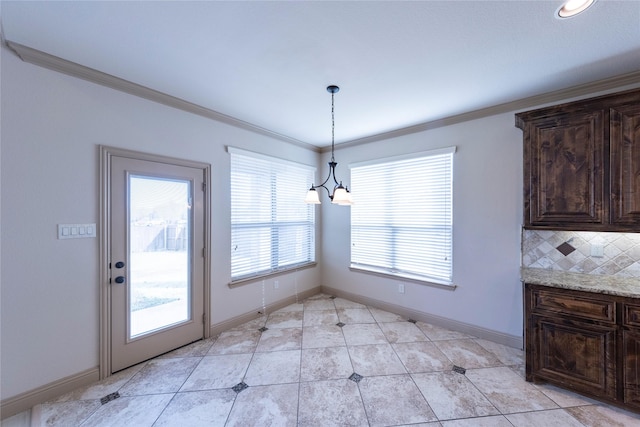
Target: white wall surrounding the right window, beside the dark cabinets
{"type": "Point", "coordinates": [487, 220]}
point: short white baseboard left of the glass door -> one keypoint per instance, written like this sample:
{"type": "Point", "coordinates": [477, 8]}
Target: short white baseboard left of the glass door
{"type": "Point", "coordinates": [23, 401]}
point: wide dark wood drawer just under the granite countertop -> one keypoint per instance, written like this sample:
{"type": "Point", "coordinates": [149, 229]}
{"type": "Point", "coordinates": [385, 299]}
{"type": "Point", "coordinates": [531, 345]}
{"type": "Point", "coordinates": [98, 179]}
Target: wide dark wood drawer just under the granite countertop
{"type": "Point", "coordinates": [573, 305]}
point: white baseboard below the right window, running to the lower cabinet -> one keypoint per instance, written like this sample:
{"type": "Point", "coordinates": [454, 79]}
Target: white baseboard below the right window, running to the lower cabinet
{"type": "Point", "coordinates": [477, 331]}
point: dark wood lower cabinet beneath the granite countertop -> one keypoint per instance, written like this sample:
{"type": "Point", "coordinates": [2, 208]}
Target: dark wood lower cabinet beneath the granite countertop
{"type": "Point", "coordinates": [585, 342]}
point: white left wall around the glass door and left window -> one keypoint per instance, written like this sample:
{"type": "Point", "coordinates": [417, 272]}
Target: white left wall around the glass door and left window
{"type": "Point", "coordinates": [52, 125]}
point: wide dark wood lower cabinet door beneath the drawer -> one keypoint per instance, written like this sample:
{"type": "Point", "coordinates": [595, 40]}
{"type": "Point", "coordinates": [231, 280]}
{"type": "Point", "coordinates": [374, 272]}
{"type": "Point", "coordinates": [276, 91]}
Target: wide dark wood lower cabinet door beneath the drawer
{"type": "Point", "coordinates": [579, 356]}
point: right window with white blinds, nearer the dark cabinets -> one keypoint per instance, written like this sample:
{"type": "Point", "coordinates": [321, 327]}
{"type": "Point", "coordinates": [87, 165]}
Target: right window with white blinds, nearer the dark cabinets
{"type": "Point", "coordinates": [401, 222]}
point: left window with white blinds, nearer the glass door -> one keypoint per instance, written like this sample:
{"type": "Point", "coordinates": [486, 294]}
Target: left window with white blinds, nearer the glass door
{"type": "Point", "coordinates": [272, 229]}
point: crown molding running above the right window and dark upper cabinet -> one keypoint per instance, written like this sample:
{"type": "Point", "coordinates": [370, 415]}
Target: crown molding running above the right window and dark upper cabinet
{"type": "Point", "coordinates": [577, 91]}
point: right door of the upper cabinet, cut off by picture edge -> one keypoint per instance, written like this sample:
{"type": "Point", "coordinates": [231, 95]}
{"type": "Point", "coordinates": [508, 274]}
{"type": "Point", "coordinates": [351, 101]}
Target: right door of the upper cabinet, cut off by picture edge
{"type": "Point", "coordinates": [625, 165]}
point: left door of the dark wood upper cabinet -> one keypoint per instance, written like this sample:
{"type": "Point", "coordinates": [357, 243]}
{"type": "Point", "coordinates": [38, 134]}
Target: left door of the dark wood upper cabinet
{"type": "Point", "coordinates": [566, 166]}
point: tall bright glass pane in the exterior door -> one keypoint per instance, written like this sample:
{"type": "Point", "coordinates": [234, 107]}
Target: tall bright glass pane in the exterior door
{"type": "Point", "coordinates": [159, 256]}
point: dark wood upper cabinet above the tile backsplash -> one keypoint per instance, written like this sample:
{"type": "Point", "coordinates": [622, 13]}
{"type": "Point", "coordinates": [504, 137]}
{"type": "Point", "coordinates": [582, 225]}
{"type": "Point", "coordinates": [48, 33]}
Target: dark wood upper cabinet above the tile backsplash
{"type": "Point", "coordinates": [582, 164]}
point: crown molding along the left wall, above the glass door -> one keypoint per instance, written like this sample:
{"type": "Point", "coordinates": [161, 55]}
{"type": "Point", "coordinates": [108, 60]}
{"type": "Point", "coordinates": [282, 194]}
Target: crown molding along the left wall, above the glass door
{"type": "Point", "coordinates": [55, 63]}
